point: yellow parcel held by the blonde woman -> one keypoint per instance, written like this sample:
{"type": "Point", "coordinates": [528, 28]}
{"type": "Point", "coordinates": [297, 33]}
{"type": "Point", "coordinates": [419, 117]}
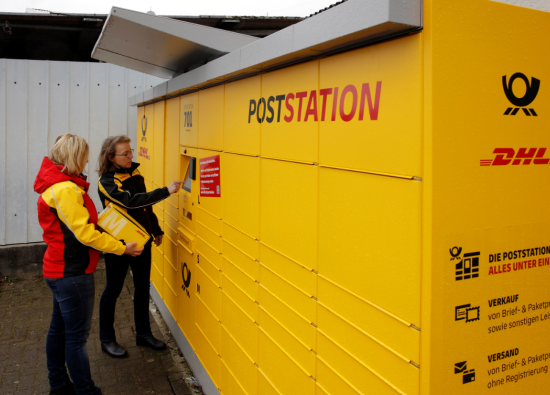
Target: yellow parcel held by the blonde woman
{"type": "Point", "coordinates": [120, 225]}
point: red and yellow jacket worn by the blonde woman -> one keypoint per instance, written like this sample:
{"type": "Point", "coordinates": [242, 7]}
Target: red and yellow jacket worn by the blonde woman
{"type": "Point", "coordinates": [68, 218]}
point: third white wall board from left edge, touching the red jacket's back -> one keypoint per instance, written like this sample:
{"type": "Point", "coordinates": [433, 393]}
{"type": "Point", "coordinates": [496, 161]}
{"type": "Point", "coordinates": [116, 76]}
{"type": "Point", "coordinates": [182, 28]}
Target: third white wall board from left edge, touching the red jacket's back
{"type": "Point", "coordinates": [37, 135]}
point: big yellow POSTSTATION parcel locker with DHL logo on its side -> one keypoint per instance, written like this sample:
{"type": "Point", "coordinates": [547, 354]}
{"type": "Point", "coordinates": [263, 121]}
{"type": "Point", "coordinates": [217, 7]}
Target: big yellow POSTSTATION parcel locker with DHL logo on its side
{"type": "Point", "coordinates": [364, 214]}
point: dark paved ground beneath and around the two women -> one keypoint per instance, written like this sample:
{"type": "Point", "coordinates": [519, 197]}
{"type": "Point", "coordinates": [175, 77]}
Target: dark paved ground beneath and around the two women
{"type": "Point", "coordinates": [25, 313]}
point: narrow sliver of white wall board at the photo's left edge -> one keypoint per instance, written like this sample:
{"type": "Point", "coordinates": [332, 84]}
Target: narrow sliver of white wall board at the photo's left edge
{"type": "Point", "coordinates": [3, 168]}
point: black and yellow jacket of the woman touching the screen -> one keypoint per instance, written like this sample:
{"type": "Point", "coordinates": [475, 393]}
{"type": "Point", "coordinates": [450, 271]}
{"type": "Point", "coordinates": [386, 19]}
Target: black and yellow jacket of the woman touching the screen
{"type": "Point", "coordinates": [126, 189]}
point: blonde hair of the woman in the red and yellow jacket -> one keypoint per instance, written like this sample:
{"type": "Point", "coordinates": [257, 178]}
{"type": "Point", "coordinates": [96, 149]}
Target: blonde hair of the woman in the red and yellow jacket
{"type": "Point", "coordinates": [71, 152]}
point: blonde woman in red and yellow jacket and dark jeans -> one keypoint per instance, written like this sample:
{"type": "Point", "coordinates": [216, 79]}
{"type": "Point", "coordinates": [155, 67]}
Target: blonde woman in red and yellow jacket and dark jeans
{"type": "Point", "coordinates": [68, 218]}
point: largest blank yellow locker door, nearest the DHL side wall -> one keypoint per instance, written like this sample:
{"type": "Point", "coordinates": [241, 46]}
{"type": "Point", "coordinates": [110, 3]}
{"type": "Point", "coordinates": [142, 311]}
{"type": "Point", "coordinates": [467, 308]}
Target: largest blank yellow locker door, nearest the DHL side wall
{"type": "Point", "coordinates": [364, 241]}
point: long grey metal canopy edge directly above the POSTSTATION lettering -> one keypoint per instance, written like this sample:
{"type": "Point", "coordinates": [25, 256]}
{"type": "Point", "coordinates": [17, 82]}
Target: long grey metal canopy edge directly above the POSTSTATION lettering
{"type": "Point", "coordinates": [353, 23]}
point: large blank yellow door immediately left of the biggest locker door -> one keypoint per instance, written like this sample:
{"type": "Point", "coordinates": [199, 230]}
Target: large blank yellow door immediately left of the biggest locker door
{"type": "Point", "coordinates": [289, 225]}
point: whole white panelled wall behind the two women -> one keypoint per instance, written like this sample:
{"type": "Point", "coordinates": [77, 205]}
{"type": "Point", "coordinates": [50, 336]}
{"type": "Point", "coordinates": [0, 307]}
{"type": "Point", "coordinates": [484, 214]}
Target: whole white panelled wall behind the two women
{"type": "Point", "coordinates": [40, 100]}
